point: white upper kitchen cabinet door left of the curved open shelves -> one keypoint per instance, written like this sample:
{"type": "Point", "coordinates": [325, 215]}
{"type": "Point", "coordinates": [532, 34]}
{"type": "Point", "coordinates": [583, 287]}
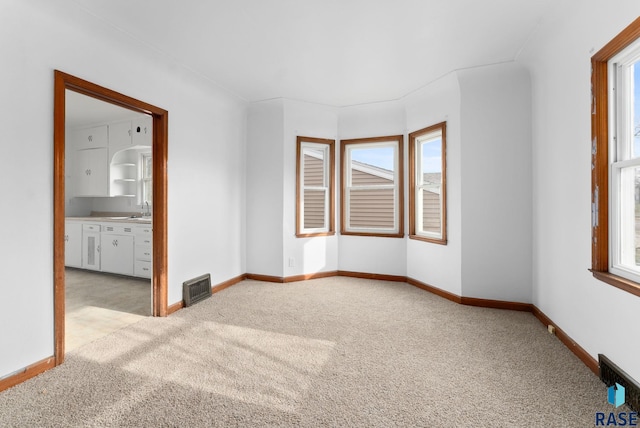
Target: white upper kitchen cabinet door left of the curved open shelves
{"type": "Point", "coordinates": [91, 173]}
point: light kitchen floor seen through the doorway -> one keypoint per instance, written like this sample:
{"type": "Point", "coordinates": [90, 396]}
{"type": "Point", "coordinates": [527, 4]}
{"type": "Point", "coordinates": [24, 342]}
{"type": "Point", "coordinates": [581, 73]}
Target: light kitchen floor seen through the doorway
{"type": "Point", "coordinates": [98, 304]}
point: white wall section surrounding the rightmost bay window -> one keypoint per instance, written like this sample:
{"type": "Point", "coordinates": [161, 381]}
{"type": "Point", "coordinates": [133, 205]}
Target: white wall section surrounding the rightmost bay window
{"type": "Point", "coordinates": [440, 265]}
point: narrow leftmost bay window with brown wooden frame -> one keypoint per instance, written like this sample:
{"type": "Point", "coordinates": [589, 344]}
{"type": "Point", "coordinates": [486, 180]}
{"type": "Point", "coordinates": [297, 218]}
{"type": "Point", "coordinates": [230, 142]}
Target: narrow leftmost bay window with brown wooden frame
{"type": "Point", "coordinates": [315, 171]}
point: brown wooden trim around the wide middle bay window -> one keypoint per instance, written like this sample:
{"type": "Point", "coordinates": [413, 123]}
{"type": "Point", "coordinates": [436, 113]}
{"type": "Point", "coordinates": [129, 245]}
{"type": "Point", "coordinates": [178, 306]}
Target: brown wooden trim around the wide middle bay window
{"type": "Point", "coordinates": [344, 143]}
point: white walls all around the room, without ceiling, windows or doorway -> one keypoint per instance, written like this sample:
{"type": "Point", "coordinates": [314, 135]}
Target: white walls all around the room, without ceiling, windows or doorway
{"type": "Point", "coordinates": [216, 178]}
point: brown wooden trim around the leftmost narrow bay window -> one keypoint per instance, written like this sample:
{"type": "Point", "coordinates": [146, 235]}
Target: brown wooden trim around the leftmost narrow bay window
{"type": "Point", "coordinates": [332, 185]}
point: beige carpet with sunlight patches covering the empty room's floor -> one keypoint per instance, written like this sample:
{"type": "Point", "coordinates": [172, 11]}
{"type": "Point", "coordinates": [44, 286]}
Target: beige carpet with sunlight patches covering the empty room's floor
{"type": "Point", "coordinates": [329, 352]}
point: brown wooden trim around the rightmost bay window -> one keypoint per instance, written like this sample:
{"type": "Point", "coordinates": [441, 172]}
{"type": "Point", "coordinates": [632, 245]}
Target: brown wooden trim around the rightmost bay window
{"type": "Point", "coordinates": [442, 126]}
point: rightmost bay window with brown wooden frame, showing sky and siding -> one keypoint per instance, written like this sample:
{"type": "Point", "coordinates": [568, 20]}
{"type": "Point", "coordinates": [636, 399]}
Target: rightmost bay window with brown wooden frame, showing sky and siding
{"type": "Point", "coordinates": [428, 184]}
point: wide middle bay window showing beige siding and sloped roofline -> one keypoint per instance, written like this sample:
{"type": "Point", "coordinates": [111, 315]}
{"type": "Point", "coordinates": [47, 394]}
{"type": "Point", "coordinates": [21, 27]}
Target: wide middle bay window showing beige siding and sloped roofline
{"type": "Point", "coordinates": [372, 192]}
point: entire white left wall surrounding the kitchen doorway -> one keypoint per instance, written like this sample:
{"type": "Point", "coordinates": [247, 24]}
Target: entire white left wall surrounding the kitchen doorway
{"type": "Point", "coordinates": [205, 169]}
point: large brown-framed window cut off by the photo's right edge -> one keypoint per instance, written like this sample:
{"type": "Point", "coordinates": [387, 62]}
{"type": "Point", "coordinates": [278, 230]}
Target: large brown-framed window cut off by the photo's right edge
{"type": "Point", "coordinates": [615, 168]}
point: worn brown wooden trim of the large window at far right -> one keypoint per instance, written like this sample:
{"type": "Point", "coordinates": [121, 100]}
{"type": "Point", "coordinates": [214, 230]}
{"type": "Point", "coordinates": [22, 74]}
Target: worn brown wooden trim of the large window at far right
{"type": "Point", "coordinates": [600, 158]}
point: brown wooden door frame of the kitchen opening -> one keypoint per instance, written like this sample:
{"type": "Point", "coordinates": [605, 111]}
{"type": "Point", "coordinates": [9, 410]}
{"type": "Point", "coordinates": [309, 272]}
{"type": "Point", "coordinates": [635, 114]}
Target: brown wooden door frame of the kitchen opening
{"type": "Point", "coordinates": [62, 82]}
